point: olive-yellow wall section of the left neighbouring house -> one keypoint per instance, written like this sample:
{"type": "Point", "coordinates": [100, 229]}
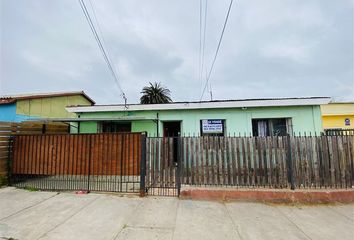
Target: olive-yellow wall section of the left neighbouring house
{"type": "Point", "coordinates": [49, 107]}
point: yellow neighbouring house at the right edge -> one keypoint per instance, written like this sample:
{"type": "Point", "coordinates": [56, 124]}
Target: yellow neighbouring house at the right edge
{"type": "Point", "coordinates": [338, 116]}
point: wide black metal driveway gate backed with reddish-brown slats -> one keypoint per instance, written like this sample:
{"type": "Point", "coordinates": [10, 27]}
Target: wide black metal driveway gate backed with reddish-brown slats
{"type": "Point", "coordinates": [92, 162]}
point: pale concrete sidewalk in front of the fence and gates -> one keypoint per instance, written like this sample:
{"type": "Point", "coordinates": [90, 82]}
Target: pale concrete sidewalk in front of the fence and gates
{"type": "Point", "coordinates": [49, 215]}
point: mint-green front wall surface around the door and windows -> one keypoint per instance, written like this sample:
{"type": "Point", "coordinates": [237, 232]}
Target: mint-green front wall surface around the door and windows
{"type": "Point", "coordinates": [238, 120]}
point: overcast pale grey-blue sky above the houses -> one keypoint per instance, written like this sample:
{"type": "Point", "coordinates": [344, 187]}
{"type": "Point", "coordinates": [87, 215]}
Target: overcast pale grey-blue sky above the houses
{"type": "Point", "coordinates": [273, 48]}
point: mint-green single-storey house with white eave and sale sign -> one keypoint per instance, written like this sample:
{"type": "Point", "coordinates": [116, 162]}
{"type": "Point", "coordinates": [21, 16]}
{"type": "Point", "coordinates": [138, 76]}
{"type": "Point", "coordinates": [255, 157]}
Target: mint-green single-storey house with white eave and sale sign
{"type": "Point", "coordinates": [257, 117]}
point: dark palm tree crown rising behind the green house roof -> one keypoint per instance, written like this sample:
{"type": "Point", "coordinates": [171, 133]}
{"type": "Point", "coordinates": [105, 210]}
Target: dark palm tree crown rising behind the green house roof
{"type": "Point", "coordinates": [155, 93]}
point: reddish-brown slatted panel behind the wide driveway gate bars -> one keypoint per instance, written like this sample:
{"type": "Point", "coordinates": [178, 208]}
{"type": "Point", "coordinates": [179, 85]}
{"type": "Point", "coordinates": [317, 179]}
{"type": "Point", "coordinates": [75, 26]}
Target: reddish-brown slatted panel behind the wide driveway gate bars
{"type": "Point", "coordinates": [71, 154]}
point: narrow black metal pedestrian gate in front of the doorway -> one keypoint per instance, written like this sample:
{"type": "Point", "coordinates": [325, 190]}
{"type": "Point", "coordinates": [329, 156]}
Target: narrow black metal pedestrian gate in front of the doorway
{"type": "Point", "coordinates": [163, 166]}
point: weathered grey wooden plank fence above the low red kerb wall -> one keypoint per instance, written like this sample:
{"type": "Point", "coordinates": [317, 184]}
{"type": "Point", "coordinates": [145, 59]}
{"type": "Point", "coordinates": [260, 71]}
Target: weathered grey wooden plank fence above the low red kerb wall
{"type": "Point", "coordinates": [312, 162]}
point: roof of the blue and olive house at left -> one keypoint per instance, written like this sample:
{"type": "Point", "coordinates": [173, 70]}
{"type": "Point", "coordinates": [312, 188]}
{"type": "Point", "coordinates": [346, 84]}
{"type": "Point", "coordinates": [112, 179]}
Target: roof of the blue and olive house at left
{"type": "Point", "coordinates": [5, 99]}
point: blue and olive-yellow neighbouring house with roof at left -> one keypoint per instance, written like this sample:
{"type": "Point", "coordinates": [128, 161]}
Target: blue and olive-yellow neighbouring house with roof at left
{"type": "Point", "coordinates": [17, 108]}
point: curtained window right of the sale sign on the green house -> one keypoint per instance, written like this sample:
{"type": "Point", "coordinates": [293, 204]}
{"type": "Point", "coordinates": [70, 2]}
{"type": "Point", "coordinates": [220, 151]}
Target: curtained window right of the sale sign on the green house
{"type": "Point", "coordinates": [271, 127]}
